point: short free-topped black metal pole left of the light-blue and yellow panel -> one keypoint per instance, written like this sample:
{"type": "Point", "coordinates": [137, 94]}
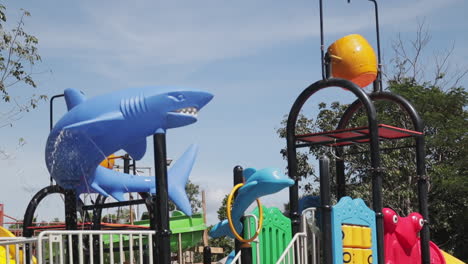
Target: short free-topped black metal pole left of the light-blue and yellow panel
{"type": "Point", "coordinates": [326, 210]}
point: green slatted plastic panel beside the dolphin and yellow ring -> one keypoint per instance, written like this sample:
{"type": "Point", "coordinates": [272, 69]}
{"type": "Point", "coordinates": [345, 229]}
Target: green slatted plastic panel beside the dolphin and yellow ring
{"type": "Point", "coordinates": [274, 237]}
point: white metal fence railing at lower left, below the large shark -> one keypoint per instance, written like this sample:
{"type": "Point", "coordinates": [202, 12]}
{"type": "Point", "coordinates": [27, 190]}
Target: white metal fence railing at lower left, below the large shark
{"type": "Point", "coordinates": [80, 246]}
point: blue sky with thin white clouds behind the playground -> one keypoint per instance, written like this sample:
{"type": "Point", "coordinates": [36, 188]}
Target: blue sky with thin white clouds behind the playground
{"type": "Point", "coordinates": [254, 56]}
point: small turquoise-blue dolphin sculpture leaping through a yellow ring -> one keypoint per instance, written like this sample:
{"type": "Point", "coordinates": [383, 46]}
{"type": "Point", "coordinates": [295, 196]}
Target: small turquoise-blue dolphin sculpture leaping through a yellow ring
{"type": "Point", "coordinates": [258, 183]}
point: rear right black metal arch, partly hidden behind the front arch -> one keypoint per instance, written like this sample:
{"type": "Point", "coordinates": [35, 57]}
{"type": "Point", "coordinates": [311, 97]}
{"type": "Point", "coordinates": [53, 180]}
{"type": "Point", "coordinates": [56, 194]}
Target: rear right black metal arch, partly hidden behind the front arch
{"type": "Point", "coordinates": [418, 125]}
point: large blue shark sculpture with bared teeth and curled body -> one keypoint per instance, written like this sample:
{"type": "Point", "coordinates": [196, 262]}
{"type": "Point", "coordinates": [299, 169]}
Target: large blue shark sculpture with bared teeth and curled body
{"type": "Point", "coordinates": [95, 128]}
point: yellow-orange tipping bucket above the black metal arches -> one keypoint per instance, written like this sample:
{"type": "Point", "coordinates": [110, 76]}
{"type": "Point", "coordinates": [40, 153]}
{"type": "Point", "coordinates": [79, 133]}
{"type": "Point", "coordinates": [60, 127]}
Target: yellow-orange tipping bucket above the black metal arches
{"type": "Point", "coordinates": [353, 59]}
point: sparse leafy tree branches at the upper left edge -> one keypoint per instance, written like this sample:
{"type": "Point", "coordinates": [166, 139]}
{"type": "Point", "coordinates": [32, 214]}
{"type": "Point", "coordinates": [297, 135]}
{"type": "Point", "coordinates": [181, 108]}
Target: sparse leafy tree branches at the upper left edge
{"type": "Point", "coordinates": [18, 56]}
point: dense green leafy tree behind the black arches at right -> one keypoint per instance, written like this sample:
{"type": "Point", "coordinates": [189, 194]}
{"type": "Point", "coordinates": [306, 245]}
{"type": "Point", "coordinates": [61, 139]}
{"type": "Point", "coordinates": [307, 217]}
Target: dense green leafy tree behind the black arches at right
{"type": "Point", "coordinates": [442, 104]}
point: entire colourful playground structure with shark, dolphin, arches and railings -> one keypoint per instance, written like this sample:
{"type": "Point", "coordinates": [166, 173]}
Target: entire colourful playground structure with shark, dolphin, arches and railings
{"type": "Point", "coordinates": [316, 231]}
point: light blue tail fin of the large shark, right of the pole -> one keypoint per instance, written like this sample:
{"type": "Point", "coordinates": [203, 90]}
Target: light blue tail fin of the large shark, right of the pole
{"type": "Point", "coordinates": [177, 179]}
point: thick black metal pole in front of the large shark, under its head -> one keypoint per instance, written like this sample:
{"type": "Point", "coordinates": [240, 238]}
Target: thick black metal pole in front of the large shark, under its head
{"type": "Point", "coordinates": [163, 232]}
